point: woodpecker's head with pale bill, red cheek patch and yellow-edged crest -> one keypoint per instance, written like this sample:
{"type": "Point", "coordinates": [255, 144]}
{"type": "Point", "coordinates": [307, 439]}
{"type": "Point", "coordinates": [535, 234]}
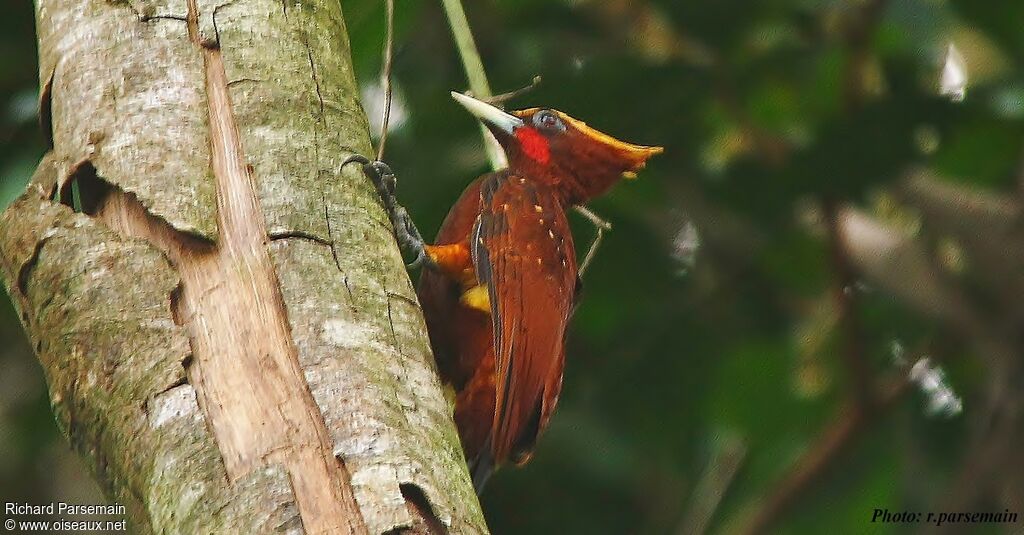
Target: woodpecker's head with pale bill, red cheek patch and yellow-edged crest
{"type": "Point", "coordinates": [552, 147]}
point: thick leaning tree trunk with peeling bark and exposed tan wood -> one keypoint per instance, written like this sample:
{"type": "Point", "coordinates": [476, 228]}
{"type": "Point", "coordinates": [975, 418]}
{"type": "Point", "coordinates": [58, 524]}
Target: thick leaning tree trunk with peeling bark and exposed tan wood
{"type": "Point", "coordinates": [227, 327]}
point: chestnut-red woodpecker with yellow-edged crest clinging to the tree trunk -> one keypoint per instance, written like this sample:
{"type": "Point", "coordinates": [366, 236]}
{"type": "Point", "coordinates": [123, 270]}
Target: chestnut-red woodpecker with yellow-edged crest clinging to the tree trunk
{"type": "Point", "coordinates": [503, 277]}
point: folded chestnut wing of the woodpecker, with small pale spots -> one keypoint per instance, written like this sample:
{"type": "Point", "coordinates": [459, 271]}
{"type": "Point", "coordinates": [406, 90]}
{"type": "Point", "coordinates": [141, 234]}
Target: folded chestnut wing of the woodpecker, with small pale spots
{"type": "Point", "coordinates": [523, 252]}
